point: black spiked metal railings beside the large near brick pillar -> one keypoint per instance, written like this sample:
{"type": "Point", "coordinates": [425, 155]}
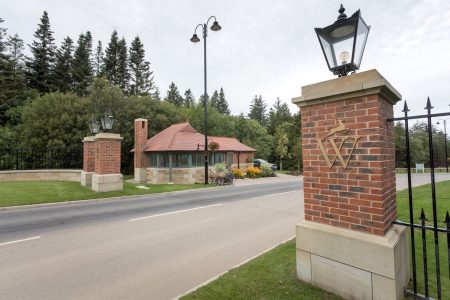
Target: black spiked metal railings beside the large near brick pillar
{"type": "Point", "coordinates": [428, 287]}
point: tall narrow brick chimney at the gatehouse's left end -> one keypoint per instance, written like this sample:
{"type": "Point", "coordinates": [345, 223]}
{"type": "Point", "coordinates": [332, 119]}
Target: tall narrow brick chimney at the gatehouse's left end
{"type": "Point", "coordinates": [140, 158]}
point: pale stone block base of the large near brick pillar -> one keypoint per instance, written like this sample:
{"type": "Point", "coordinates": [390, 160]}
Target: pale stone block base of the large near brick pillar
{"type": "Point", "coordinates": [351, 264]}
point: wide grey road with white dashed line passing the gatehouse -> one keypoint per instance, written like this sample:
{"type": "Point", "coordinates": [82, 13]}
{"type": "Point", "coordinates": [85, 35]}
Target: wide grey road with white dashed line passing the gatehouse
{"type": "Point", "coordinates": [153, 247]}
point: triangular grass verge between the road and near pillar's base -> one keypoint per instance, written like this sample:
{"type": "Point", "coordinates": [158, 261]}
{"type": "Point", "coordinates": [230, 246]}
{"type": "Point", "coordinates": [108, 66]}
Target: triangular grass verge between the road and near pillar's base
{"type": "Point", "coordinates": [270, 276]}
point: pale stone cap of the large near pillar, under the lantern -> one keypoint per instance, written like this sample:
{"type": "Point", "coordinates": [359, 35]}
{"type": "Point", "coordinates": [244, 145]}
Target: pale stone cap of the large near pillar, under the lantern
{"type": "Point", "coordinates": [346, 87]}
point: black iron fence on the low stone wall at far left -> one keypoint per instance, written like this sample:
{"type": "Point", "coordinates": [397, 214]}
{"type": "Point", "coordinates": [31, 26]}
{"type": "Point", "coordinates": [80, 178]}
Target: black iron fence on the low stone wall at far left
{"type": "Point", "coordinates": [48, 158]}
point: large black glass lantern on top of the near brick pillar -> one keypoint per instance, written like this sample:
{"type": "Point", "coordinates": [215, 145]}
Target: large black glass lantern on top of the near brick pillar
{"type": "Point", "coordinates": [343, 42]}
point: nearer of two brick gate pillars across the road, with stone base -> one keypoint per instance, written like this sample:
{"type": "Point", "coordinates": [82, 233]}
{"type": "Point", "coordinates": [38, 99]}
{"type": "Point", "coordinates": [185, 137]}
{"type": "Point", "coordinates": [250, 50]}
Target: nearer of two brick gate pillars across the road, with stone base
{"type": "Point", "coordinates": [107, 175]}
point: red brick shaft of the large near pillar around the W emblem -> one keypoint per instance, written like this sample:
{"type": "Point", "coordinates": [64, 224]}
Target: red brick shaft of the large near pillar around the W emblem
{"type": "Point", "coordinates": [361, 197]}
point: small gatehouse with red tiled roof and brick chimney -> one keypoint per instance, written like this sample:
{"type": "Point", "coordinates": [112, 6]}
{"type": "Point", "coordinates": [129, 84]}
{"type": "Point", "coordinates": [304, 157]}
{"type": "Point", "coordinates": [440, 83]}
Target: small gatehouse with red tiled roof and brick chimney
{"type": "Point", "coordinates": [176, 154]}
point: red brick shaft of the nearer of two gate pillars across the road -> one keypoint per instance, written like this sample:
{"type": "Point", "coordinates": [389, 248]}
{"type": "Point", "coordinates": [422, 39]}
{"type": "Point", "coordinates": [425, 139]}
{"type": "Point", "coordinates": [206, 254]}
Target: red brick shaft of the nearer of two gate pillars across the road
{"type": "Point", "coordinates": [107, 156]}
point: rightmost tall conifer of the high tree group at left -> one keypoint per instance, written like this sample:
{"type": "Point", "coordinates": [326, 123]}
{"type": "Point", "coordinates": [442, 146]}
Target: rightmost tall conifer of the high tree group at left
{"type": "Point", "coordinates": [141, 79]}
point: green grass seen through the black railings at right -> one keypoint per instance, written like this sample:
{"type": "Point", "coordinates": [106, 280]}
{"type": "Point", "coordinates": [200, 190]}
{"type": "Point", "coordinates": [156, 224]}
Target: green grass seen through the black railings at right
{"type": "Point", "coordinates": [422, 199]}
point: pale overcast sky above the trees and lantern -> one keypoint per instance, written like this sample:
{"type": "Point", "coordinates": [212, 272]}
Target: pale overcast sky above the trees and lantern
{"type": "Point", "coordinates": [265, 47]}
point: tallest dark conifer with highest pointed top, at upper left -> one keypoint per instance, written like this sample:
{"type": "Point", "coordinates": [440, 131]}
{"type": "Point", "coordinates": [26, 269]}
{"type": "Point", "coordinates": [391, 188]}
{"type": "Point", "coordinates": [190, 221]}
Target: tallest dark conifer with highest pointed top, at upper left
{"type": "Point", "coordinates": [40, 66]}
